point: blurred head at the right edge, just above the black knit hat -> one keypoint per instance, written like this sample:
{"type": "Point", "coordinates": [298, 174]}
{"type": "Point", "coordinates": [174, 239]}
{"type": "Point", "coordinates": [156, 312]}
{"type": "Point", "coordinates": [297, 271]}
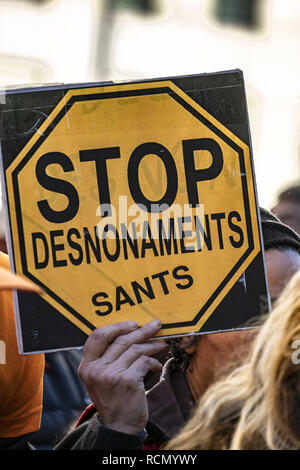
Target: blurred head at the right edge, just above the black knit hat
{"type": "Point", "coordinates": [287, 207]}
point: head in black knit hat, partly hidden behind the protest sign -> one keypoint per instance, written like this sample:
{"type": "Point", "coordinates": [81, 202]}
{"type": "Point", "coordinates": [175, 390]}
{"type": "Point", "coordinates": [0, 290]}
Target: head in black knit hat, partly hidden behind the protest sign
{"type": "Point", "coordinates": [220, 351]}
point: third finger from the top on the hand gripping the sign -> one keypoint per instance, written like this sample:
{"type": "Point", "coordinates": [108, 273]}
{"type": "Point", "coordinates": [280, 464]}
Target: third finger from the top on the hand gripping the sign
{"type": "Point", "coordinates": [135, 351]}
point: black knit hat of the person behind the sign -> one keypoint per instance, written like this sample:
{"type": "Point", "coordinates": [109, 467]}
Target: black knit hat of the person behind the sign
{"type": "Point", "coordinates": [276, 234]}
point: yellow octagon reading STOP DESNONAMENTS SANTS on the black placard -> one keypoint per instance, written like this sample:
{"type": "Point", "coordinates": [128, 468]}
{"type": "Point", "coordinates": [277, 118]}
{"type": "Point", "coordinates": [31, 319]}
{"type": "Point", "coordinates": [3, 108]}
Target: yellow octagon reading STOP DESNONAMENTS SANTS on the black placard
{"type": "Point", "coordinates": [133, 202]}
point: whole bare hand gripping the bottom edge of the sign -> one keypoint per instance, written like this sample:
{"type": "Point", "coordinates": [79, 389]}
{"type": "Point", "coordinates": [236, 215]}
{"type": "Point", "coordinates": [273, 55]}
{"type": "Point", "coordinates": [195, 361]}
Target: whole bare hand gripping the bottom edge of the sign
{"type": "Point", "coordinates": [114, 364]}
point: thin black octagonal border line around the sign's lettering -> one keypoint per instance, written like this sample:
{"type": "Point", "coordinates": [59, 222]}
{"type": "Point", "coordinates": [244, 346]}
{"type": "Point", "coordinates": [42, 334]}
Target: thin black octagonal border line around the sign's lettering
{"type": "Point", "coordinates": [123, 94]}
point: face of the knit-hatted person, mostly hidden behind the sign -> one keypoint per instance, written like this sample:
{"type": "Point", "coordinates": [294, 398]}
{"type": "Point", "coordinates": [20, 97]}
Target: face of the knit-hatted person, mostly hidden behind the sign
{"type": "Point", "coordinates": [217, 353]}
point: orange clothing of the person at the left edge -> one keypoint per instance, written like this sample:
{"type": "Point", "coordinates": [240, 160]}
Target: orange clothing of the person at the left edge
{"type": "Point", "coordinates": [21, 384]}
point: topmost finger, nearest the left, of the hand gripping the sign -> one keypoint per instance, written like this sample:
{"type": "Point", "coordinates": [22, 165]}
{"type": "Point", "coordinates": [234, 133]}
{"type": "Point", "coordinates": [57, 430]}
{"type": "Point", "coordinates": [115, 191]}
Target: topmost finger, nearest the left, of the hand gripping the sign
{"type": "Point", "coordinates": [100, 339]}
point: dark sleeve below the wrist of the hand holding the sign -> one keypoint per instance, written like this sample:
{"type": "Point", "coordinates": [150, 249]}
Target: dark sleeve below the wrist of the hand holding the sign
{"type": "Point", "coordinates": [92, 435]}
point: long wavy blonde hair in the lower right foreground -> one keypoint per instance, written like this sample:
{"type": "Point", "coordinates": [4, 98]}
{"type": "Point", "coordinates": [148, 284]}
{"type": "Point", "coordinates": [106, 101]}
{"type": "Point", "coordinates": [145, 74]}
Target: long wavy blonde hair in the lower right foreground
{"type": "Point", "coordinates": [258, 405]}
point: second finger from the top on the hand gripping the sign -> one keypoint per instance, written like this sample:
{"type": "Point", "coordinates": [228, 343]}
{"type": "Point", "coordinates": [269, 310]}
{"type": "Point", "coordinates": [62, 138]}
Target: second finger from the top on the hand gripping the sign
{"type": "Point", "coordinates": [123, 342]}
